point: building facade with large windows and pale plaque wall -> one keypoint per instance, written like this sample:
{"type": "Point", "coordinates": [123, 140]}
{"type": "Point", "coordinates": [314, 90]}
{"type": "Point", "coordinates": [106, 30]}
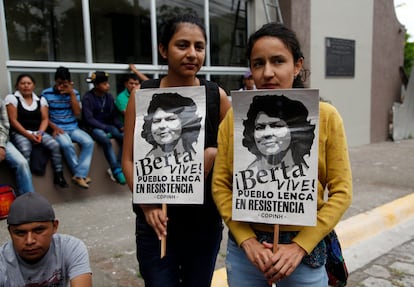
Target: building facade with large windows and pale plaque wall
{"type": "Point", "coordinates": [87, 35]}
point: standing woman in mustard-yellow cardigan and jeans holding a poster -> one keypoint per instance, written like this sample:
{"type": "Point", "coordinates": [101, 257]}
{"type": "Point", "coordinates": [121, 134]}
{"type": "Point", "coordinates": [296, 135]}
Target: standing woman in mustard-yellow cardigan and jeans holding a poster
{"type": "Point", "coordinates": [276, 63]}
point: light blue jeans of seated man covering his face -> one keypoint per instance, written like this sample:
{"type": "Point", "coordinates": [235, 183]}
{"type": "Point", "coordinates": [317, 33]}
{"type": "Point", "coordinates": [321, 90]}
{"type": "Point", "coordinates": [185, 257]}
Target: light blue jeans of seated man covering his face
{"type": "Point", "coordinates": [79, 165]}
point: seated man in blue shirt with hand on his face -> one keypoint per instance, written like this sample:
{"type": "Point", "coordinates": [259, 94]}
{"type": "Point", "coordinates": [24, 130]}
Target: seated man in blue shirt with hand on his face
{"type": "Point", "coordinates": [64, 107]}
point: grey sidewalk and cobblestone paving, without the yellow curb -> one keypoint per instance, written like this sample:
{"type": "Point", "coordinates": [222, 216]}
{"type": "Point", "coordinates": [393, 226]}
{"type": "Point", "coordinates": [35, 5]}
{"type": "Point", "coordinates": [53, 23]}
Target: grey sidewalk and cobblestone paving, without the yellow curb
{"type": "Point", "coordinates": [381, 173]}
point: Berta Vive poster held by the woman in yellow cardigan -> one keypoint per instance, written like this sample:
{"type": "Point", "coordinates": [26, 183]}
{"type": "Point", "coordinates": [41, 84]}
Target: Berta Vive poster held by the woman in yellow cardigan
{"type": "Point", "coordinates": [275, 172]}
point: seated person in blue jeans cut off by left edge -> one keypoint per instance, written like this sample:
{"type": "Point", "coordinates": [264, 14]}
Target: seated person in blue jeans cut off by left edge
{"type": "Point", "coordinates": [13, 157]}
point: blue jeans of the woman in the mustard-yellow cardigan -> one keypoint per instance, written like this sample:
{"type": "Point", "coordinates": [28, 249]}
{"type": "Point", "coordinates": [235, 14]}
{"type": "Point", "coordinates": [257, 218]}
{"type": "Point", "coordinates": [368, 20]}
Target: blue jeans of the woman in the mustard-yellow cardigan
{"type": "Point", "coordinates": [242, 273]}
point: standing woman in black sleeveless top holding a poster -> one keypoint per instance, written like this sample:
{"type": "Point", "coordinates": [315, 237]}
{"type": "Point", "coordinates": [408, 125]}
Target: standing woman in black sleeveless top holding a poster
{"type": "Point", "coordinates": [194, 231]}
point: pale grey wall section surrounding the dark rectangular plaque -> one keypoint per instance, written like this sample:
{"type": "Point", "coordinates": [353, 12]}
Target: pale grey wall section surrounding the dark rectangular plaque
{"type": "Point", "coordinates": [353, 20]}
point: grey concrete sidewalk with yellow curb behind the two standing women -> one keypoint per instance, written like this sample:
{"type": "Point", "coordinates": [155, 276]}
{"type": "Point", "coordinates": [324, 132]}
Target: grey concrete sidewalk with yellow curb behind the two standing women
{"type": "Point", "coordinates": [382, 174]}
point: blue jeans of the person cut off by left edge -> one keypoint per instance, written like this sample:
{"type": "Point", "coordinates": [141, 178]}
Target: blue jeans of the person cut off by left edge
{"type": "Point", "coordinates": [21, 167]}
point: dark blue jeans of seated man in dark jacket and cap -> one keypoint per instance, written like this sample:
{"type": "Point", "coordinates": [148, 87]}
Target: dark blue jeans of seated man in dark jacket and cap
{"type": "Point", "coordinates": [102, 138]}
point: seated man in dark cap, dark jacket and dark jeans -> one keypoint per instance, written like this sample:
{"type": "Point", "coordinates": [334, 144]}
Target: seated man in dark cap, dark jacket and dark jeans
{"type": "Point", "coordinates": [102, 119]}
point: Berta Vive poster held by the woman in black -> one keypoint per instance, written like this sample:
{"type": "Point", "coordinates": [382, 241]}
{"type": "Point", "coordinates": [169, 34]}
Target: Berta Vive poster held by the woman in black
{"type": "Point", "coordinates": [169, 145]}
